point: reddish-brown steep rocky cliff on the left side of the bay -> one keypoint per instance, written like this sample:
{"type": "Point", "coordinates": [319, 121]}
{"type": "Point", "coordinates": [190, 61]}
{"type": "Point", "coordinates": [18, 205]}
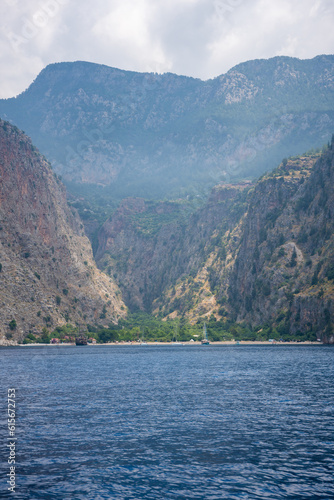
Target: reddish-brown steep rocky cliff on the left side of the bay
{"type": "Point", "coordinates": [47, 273]}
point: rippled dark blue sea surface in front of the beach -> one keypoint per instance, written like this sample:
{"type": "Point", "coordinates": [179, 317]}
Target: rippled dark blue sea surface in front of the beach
{"type": "Point", "coordinates": [170, 422]}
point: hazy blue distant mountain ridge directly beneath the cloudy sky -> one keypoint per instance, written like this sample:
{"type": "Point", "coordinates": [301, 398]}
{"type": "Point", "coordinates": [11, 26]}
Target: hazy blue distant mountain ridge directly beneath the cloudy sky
{"type": "Point", "coordinates": [154, 136]}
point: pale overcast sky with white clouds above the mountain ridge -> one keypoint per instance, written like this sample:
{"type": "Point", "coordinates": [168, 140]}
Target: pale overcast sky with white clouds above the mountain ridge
{"type": "Point", "coordinates": [200, 38]}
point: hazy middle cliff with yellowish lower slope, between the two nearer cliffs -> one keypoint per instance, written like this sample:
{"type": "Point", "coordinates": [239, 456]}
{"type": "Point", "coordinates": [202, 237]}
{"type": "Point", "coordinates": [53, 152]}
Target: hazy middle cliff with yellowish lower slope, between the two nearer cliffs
{"type": "Point", "coordinates": [156, 250]}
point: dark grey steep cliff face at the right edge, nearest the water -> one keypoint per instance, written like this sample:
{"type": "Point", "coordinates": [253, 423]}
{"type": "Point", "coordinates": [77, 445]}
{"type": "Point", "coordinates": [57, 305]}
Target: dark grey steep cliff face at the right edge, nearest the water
{"type": "Point", "coordinates": [283, 274]}
